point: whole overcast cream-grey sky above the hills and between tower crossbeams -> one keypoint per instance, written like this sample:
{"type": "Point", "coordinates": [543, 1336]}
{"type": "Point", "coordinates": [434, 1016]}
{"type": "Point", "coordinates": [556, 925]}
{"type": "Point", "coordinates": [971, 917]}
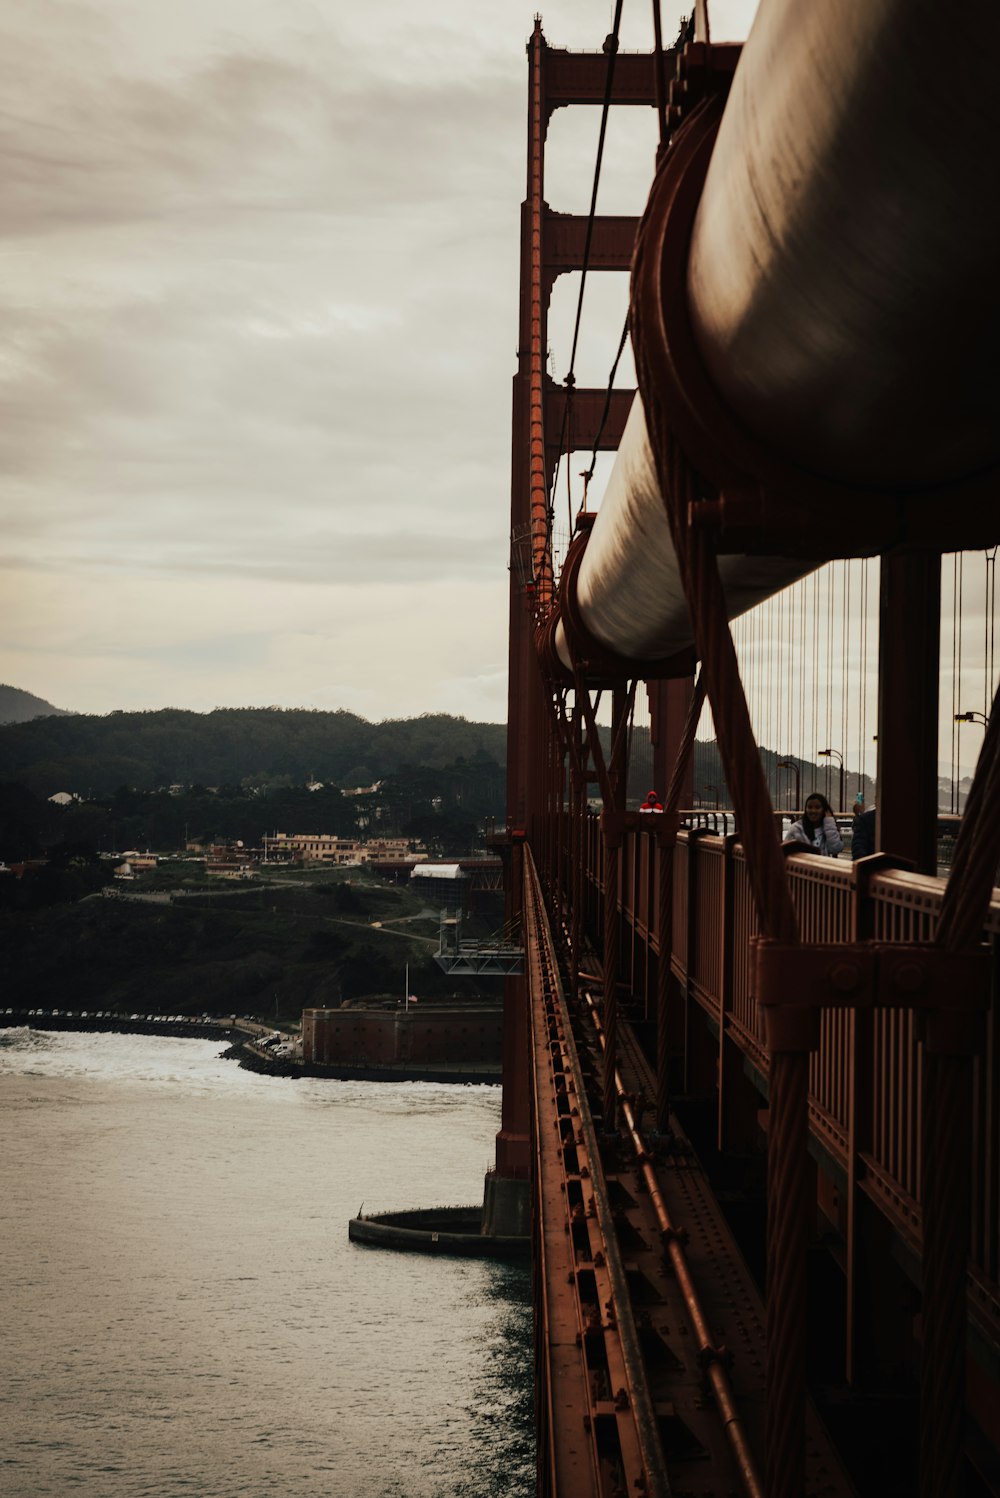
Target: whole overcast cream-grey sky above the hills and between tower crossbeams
{"type": "Point", "coordinates": [260, 324]}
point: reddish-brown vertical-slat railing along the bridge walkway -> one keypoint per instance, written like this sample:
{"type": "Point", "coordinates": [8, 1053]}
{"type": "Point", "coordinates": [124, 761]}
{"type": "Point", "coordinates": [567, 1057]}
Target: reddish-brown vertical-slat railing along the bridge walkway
{"type": "Point", "coordinates": [866, 1076]}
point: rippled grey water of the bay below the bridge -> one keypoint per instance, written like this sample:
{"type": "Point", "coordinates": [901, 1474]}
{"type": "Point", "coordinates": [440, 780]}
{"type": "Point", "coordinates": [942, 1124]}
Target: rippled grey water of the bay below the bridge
{"type": "Point", "coordinates": [185, 1313]}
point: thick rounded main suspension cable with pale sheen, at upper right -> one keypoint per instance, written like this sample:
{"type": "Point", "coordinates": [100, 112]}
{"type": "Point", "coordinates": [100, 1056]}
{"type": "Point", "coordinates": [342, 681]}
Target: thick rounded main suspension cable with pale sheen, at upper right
{"type": "Point", "coordinates": [826, 305]}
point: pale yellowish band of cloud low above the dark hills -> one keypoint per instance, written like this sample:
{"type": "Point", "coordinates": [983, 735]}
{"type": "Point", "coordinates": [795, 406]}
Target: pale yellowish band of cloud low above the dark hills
{"type": "Point", "coordinates": [394, 648]}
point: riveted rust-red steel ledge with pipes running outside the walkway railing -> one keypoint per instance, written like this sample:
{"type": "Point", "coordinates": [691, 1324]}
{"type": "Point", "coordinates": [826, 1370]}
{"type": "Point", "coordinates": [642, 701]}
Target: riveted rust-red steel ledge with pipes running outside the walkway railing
{"type": "Point", "coordinates": [626, 1355]}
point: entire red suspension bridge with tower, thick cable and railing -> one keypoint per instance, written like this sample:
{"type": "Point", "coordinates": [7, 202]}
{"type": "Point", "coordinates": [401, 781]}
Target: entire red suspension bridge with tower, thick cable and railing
{"type": "Point", "coordinates": [712, 1033]}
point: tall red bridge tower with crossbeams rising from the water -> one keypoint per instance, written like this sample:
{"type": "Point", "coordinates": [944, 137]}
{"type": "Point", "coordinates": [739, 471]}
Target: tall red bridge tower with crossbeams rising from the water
{"type": "Point", "coordinates": [552, 245]}
